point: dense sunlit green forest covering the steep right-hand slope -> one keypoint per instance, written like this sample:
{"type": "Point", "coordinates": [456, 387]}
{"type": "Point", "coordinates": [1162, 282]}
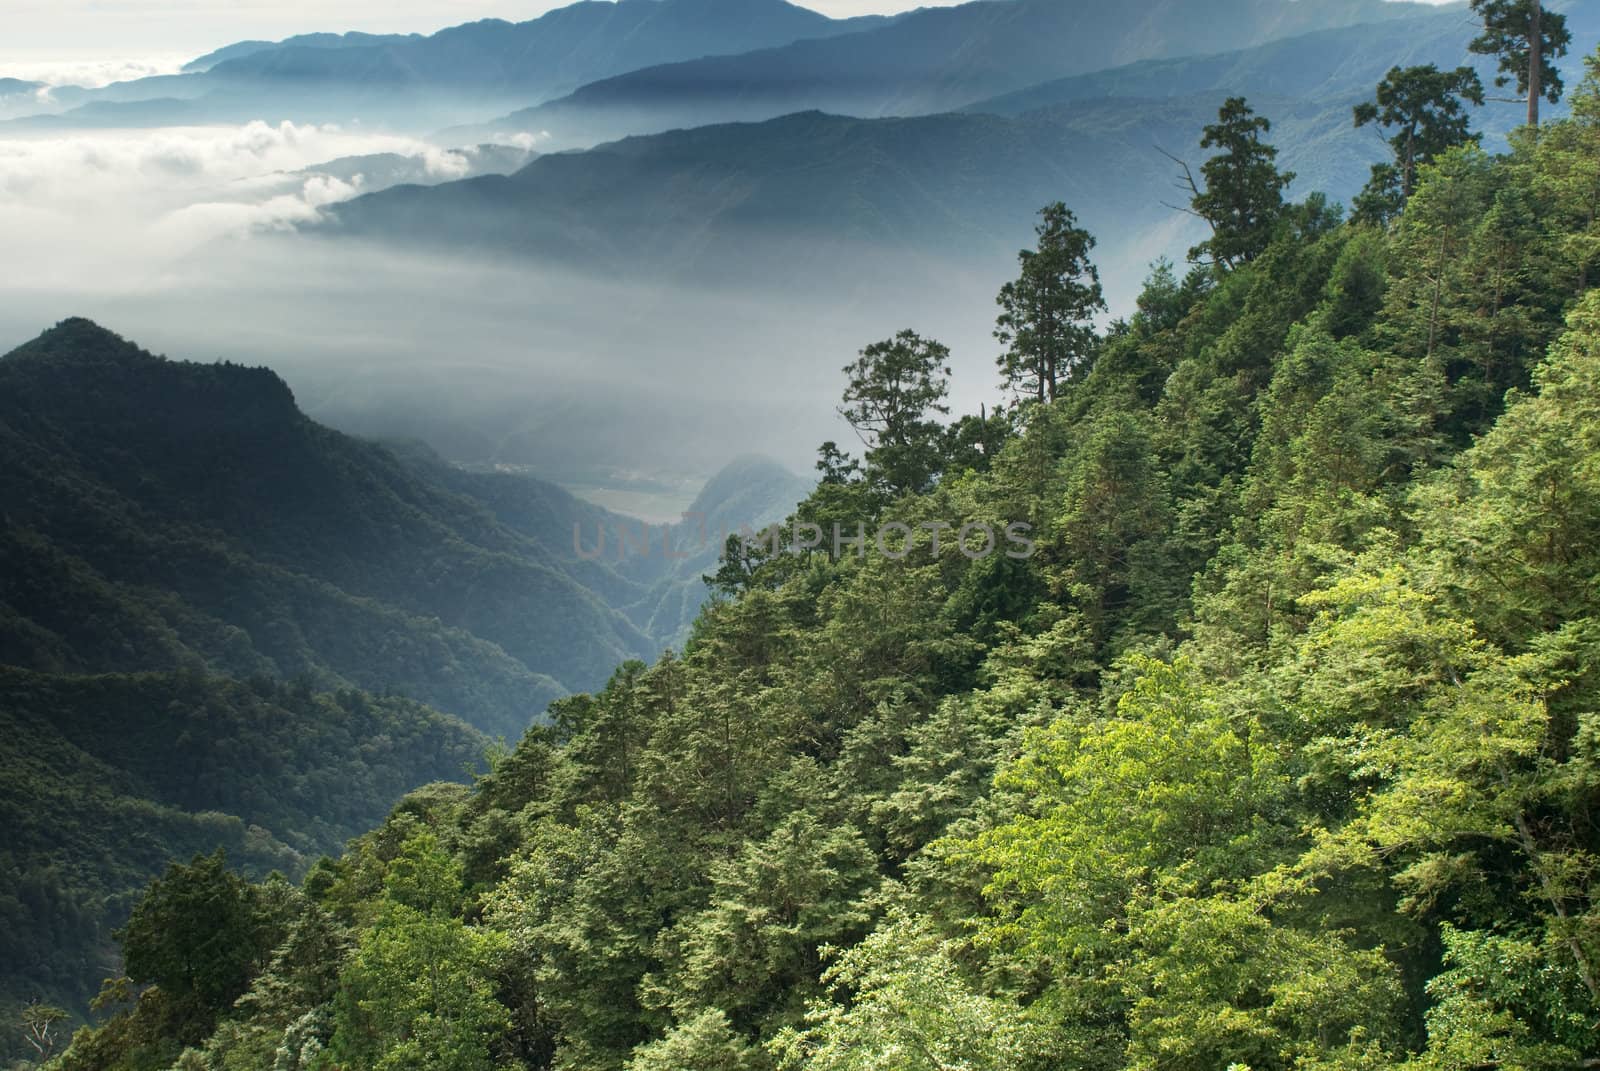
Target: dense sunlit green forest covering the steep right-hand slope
{"type": "Point", "coordinates": [1278, 752]}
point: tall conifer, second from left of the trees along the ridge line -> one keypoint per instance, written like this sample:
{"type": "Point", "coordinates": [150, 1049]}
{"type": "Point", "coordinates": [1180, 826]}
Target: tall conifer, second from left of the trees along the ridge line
{"type": "Point", "coordinates": [1047, 311]}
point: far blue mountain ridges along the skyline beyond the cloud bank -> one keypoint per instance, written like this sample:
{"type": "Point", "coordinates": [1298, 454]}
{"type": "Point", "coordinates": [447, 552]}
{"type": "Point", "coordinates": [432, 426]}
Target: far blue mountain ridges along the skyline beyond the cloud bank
{"type": "Point", "coordinates": [638, 66]}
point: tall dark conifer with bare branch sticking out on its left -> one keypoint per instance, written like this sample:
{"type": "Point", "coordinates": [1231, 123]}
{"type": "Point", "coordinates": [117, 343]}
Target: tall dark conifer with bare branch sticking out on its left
{"type": "Point", "coordinates": [1244, 190]}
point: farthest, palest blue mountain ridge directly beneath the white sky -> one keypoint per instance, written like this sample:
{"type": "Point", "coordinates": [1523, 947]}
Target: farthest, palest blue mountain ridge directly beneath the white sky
{"type": "Point", "coordinates": [471, 70]}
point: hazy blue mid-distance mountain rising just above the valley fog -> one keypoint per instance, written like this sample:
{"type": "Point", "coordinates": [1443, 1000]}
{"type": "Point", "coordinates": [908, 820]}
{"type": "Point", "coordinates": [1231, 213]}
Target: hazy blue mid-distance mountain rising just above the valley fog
{"type": "Point", "coordinates": [817, 206]}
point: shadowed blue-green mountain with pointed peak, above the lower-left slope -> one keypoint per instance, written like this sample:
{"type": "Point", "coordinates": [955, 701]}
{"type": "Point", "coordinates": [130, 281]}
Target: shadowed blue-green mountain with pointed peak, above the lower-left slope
{"type": "Point", "coordinates": [164, 515]}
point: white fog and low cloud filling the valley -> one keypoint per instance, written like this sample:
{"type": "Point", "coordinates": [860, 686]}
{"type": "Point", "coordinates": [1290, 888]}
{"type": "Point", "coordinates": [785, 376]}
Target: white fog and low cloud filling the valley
{"type": "Point", "coordinates": [183, 239]}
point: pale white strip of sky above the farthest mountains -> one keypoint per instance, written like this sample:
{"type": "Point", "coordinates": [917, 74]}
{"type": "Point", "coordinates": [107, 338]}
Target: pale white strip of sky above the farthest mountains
{"type": "Point", "coordinates": [68, 30]}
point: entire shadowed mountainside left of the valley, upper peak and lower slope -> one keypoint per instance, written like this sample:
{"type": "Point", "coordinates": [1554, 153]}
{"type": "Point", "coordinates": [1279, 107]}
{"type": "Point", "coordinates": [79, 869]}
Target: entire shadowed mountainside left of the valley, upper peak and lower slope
{"type": "Point", "coordinates": [214, 611]}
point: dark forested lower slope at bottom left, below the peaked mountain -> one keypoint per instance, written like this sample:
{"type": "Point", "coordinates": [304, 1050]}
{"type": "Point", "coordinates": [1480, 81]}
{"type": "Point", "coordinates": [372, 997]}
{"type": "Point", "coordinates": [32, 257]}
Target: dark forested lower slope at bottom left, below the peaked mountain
{"type": "Point", "coordinates": [108, 779]}
